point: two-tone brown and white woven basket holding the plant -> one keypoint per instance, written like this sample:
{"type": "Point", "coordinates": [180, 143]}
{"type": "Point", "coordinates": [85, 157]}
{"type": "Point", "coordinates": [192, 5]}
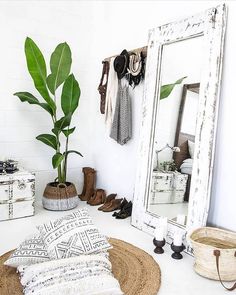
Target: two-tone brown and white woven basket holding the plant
{"type": "Point", "coordinates": [60, 196]}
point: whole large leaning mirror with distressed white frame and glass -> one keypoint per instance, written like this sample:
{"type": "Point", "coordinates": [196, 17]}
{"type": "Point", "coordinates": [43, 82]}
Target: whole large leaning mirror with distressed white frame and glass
{"type": "Point", "coordinates": [180, 104]}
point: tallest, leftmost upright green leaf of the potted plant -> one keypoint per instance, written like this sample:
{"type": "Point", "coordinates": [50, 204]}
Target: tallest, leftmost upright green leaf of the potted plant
{"type": "Point", "coordinates": [37, 69]}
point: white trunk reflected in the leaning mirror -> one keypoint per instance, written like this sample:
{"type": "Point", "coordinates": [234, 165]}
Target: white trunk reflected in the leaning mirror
{"type": "Point", "coordinates": [168, 187]}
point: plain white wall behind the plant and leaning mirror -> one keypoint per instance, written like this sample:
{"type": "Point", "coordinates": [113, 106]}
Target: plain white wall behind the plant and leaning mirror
{"type": "Point", "coordinates": [96, 30]}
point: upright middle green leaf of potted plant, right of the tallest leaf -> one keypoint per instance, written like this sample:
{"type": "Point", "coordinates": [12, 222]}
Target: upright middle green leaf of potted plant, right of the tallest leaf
{"type": "Point", "coordinates": [60, 64]}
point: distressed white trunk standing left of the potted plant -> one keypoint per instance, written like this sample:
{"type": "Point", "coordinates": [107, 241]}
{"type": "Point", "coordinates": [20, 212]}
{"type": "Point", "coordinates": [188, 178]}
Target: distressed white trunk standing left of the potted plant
{"type": "Point", "coordinates": [17, 195]}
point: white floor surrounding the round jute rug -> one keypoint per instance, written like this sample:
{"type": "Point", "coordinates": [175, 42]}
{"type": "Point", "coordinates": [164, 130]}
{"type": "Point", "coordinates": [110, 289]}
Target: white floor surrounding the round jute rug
{"type": "Point", "coordinates": [178, 277]}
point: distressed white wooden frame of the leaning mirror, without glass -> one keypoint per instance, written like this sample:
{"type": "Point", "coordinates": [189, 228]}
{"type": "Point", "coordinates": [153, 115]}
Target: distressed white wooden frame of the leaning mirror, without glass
{"type": "Point", "coordinates": [211, 26]}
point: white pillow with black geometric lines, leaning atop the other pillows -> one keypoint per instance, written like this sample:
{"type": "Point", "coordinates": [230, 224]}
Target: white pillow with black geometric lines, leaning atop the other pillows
{"type": "Point", "coordinates": [73, 235]}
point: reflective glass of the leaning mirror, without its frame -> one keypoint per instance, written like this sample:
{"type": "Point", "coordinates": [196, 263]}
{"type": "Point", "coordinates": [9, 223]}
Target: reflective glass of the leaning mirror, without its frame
{"type": "Point", "coordinates": [175, 127]}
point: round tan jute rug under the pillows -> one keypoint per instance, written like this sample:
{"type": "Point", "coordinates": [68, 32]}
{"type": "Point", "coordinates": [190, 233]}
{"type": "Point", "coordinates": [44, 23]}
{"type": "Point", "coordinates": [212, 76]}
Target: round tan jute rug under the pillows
{"type": "Point", "coordinates": [136, 271]}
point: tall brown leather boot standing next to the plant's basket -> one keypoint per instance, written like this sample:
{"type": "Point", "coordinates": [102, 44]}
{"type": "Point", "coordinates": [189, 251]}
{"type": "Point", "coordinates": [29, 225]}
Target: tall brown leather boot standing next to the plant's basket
{"type": "Point", "coordinates": [89, 183]}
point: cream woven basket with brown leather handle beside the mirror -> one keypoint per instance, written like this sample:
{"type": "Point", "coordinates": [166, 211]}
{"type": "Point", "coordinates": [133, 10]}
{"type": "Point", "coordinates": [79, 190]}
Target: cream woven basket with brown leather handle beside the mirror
{"type": "Point", "coordinates": [208, 243]}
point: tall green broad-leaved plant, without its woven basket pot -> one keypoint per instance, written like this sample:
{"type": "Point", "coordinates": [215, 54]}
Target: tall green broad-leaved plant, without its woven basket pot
{"type": "Point", "coordinates": [46, 85]}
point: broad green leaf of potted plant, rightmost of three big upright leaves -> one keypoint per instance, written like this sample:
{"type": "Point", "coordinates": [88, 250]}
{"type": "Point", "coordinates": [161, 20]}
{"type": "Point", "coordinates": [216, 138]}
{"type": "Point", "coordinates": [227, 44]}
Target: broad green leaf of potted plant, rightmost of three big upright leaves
{"type": "Point", "coordinates": [70, 95]}
